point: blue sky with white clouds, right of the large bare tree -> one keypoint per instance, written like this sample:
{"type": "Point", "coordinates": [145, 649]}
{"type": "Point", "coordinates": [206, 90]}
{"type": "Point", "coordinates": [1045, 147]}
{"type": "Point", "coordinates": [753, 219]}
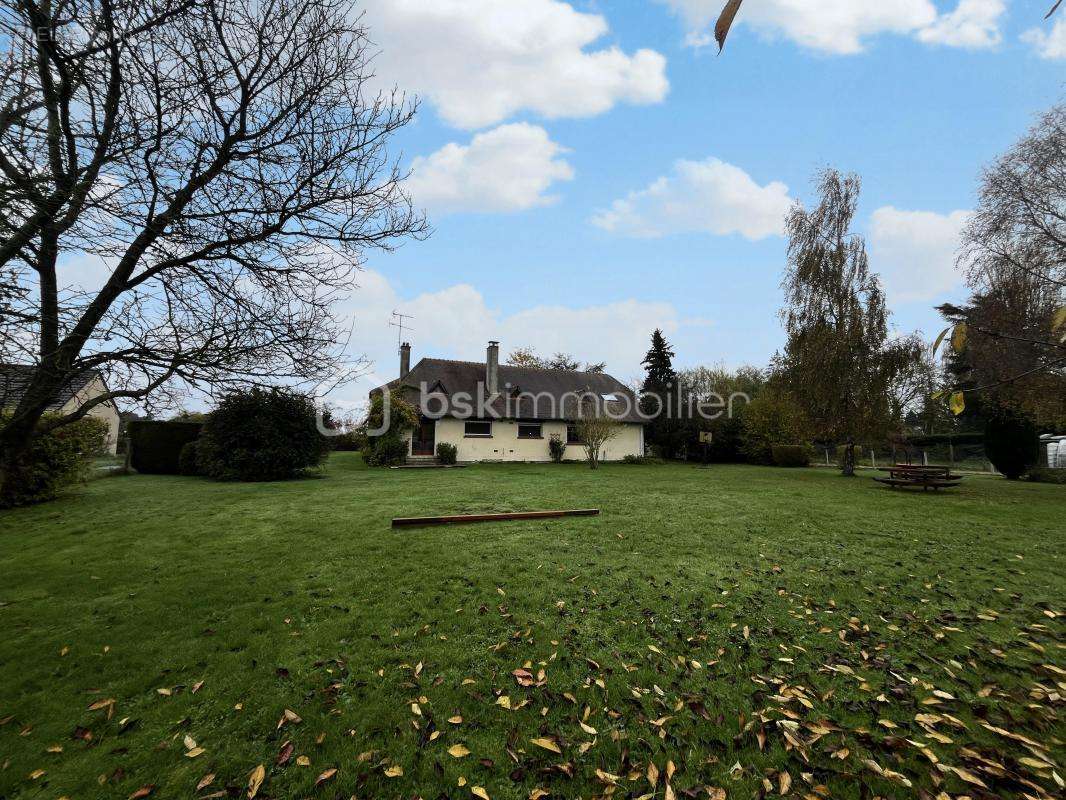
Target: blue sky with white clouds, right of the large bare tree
{"type": "Point", "coordinates": [544, 124]}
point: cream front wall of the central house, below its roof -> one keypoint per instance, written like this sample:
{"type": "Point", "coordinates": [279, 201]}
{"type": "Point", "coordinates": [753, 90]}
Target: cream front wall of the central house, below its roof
{"type": "Point", "coordinates": [505, 445]}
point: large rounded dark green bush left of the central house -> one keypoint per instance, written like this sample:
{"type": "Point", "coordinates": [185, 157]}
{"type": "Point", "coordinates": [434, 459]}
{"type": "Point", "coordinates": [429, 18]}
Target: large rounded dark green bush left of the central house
{"type": "Point", "coordinates": [263, 436]}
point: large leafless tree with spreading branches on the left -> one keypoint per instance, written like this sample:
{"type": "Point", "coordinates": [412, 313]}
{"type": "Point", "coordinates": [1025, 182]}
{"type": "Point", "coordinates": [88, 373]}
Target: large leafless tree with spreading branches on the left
{"type": "Point", "coordinates": [227, 161]}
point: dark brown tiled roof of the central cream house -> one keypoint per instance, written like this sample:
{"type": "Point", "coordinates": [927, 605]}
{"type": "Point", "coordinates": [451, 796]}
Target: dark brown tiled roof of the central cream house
{"type": "Point", "coordinates": [525, 393]}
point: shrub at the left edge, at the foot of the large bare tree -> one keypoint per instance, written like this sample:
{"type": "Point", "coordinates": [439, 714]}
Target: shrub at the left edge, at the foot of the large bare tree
{"type": "Point", "coordinates": [55, 460]}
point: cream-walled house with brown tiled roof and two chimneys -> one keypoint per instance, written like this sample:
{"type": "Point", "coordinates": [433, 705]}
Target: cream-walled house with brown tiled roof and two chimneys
{"type": "Point", "coordinates": [494, 412]}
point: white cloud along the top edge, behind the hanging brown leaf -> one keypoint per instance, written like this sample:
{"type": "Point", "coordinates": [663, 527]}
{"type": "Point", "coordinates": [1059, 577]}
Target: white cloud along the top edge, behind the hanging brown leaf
{"type": "Point", "coordinates": [843, 27]}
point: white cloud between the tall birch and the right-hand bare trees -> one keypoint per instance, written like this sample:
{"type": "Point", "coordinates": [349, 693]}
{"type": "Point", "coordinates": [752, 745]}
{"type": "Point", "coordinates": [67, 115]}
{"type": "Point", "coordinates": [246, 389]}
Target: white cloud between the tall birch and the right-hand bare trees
{"type": "Point", "coordinates": [915, 252]}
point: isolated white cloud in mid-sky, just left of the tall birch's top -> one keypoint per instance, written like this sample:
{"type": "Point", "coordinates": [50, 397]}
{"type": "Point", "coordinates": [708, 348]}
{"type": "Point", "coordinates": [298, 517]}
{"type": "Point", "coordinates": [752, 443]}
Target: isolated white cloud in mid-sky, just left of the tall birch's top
{"type": "Point", "coordinates": [701, 197]}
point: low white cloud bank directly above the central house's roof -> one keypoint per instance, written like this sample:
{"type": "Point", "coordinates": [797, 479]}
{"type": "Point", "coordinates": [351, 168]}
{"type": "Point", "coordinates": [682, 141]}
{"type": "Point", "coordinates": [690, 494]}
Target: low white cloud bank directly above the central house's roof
{"type": "Point", "coordinates": [457, 323]}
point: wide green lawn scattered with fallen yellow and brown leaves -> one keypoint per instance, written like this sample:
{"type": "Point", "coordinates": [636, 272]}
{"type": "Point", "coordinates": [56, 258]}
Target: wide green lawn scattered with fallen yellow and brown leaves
{"type": "Point", "coordinates": [737, 628]}
